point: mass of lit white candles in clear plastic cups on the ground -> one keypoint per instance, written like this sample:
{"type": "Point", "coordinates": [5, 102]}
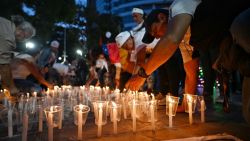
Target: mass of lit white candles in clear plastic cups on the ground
{"type": "Point", "coordinates": [139, 105]}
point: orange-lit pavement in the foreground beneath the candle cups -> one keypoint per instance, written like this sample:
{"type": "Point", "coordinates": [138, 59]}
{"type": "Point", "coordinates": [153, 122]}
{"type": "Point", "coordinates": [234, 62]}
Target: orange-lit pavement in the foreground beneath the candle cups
{"type": "Point", "coordinates": [217, 122]}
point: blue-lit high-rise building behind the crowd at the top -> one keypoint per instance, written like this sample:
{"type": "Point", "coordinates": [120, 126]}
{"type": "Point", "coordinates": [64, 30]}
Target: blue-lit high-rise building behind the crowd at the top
{"type": "Point", "coordinates": [123, 8]}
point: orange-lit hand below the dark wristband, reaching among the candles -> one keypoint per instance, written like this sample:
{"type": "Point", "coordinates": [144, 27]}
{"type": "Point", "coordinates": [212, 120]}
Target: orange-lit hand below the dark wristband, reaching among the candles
{"type": "Point", "coordinates": [135, 82]}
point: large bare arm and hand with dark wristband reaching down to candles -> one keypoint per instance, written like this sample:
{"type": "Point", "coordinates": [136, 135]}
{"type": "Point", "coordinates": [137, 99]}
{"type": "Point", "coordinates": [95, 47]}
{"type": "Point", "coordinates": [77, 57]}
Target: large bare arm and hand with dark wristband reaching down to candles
{"type": "Point", "coordinates": [164, 49]}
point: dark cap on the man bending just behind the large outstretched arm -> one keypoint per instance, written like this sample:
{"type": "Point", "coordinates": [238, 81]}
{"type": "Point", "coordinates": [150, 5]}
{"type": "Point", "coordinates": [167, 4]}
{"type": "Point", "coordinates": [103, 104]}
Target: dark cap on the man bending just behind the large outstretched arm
{"type": "Point", "coordinates": [153, 17]}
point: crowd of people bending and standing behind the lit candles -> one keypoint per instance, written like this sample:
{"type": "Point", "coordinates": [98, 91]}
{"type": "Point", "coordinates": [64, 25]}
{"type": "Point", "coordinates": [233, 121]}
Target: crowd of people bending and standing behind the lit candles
{"type": "Point", "coordinates": [165, 50]}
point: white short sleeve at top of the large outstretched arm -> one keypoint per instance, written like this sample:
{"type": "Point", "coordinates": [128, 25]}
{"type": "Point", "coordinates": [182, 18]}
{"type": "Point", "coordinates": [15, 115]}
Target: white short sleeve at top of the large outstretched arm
{"type": "Point", "coordinates": [183, 6]}
